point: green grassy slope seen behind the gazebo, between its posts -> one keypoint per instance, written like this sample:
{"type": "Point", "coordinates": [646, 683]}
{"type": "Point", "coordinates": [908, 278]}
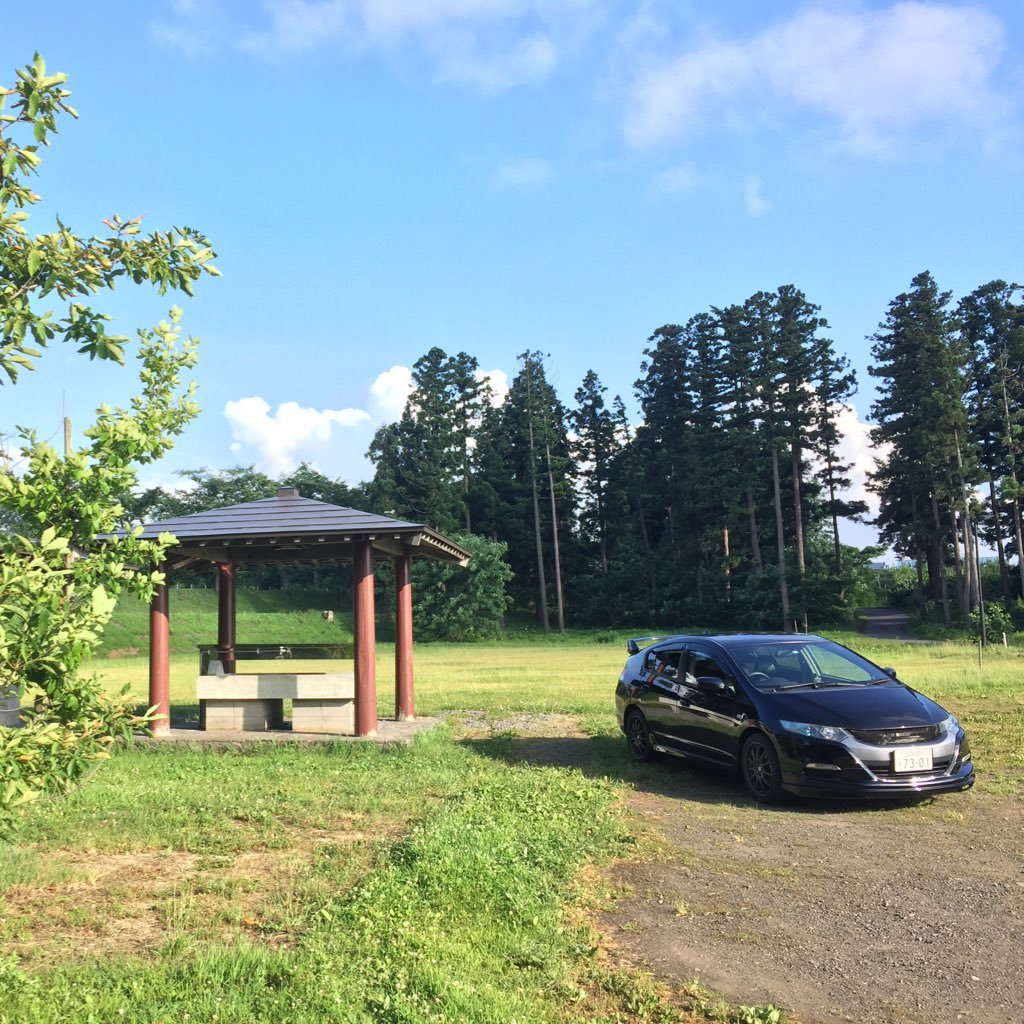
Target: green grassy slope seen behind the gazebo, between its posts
{"type": "Point", "coordinates": [262, 616]}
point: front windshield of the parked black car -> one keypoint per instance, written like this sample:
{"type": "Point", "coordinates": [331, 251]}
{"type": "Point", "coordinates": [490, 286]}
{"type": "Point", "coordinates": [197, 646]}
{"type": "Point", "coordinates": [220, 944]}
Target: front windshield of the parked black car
{"type": "Point", "coordinates": [804, 663]}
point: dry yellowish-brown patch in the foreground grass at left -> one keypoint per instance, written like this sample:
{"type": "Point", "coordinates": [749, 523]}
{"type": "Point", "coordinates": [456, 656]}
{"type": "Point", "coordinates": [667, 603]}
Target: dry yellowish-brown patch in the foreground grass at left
{"type": "Point", "coordinates": [132, 905]}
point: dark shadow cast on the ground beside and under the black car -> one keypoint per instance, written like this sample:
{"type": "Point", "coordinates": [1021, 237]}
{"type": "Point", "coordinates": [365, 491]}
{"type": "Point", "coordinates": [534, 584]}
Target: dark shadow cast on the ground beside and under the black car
{"type": "Point", "coordinates": [608, 757]}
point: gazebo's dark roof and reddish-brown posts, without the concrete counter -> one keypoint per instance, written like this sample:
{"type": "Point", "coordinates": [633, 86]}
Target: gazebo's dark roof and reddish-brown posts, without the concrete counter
{"type": "Point", "coordinates": [292, 529]}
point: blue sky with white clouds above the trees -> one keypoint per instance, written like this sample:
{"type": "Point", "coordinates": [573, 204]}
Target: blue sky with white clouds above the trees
{"type": "Point", "coordinates": [380, 177]}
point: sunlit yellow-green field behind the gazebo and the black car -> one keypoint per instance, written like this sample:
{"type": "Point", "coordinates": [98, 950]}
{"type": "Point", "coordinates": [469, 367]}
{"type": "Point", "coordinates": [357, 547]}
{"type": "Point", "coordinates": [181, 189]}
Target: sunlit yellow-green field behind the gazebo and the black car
{"type": "Point", "coordinates": [577, 676]}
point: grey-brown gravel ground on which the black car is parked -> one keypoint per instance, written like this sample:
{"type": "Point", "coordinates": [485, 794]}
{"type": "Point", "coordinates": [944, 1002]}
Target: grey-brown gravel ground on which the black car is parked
{"type": "Point", "coordinates": [878, 915]}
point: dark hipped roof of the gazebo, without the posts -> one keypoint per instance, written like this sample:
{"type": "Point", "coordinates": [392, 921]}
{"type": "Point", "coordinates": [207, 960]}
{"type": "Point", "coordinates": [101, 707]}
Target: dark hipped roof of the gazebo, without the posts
{"type": "Point", "coordinates": [292, 529]}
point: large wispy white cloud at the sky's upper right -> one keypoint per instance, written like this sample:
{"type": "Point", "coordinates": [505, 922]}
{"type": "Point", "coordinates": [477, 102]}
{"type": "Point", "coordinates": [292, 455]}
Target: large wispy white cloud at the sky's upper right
{"type": "Point", "coordinates": [875, 75]}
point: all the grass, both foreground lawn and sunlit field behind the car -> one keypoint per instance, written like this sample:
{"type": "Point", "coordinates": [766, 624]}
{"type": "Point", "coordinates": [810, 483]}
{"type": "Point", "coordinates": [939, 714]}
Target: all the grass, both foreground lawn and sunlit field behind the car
{"type": "Point", "coordinates": [440, 882]}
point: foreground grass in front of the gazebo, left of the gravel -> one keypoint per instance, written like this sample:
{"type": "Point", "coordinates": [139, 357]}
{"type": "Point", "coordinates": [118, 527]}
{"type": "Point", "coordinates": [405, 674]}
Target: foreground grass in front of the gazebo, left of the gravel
{"type": "Point", "coordinates": [462, 920]}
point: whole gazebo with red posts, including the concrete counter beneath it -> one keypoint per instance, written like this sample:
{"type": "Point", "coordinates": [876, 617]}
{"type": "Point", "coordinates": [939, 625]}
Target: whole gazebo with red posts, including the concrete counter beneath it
{"type": "Point", "coordinates": [292, 529]}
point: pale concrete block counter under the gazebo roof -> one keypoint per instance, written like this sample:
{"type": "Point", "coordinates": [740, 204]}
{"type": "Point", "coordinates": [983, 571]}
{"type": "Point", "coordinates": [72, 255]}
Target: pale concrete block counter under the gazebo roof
{"type": "Point", "coordinates": [323, 702]}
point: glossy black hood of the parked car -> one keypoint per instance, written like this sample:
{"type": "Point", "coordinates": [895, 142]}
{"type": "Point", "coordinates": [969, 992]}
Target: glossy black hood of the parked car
{"type": "Point", "coordinates": [881, 707]}
